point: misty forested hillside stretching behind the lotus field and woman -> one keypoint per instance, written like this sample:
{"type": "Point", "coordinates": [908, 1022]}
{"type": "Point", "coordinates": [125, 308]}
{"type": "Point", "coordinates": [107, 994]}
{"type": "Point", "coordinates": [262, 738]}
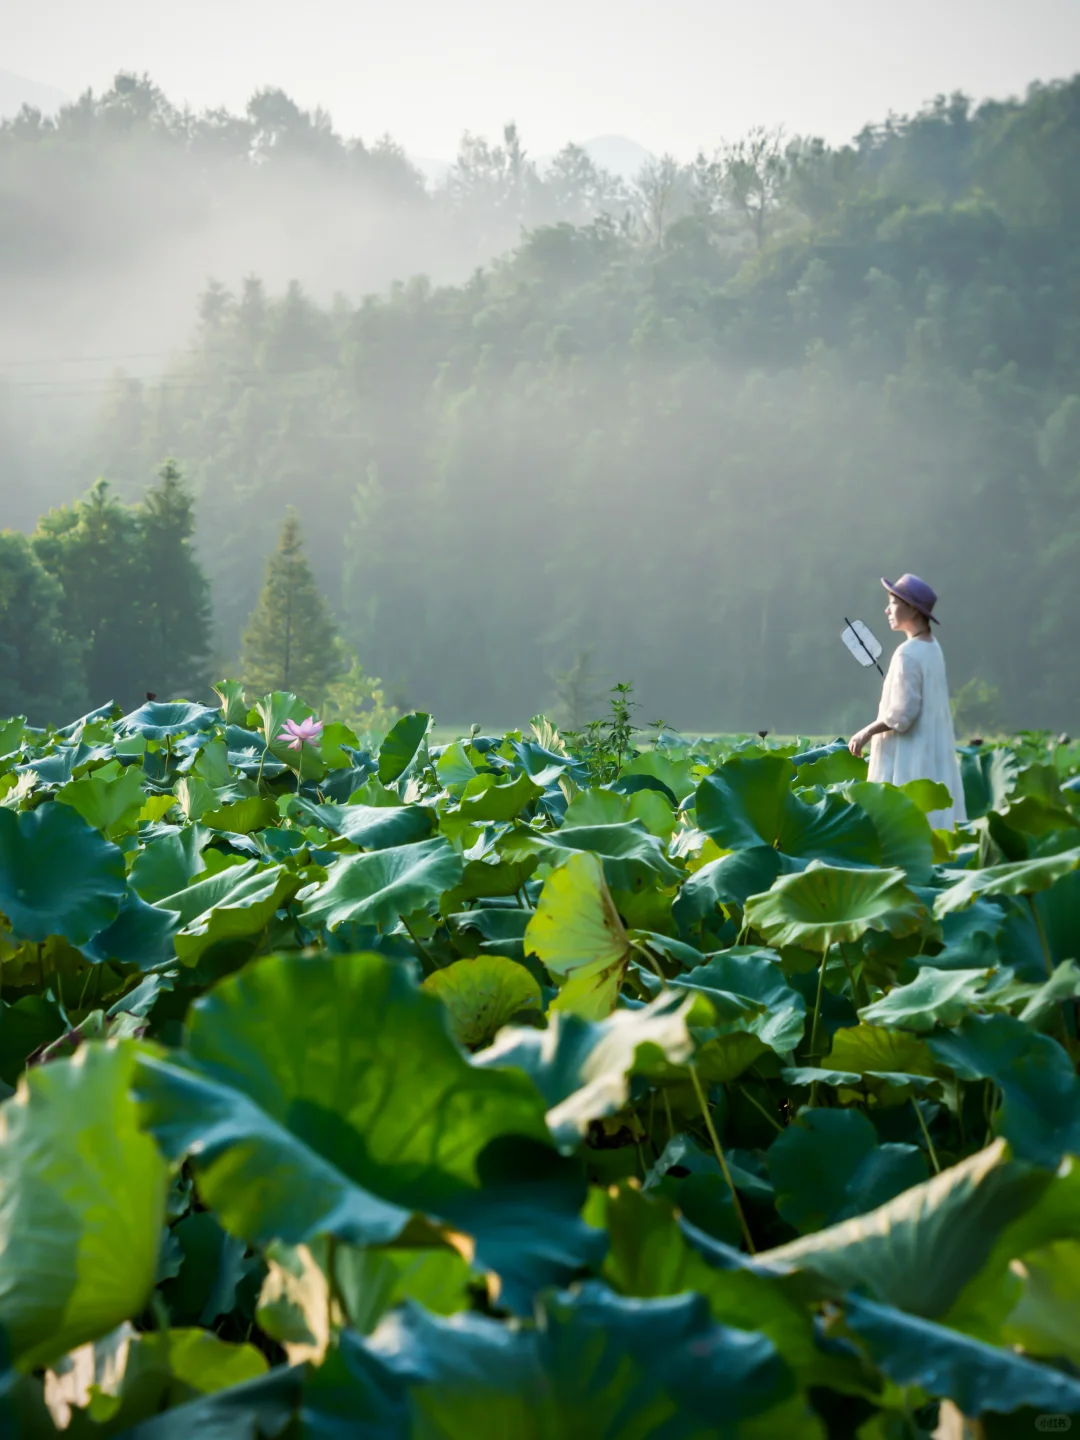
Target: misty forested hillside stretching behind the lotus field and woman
{"type": "Point", "coordinates": [679, 426]}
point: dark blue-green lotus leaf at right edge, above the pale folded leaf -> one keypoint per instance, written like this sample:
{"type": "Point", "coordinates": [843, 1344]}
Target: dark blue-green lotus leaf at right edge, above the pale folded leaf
{"type": "Point", "coordinates": [1040, 1111]}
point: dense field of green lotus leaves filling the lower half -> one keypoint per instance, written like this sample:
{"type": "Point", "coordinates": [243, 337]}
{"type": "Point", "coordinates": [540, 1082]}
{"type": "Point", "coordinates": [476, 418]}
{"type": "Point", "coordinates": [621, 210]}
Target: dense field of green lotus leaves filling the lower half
{"type": "Point", "coordinates": [532, 1086]}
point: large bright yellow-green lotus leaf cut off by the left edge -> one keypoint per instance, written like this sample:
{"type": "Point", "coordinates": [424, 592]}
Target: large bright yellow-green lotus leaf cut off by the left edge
{"type": "Point", "coordinates": [81, 1205]}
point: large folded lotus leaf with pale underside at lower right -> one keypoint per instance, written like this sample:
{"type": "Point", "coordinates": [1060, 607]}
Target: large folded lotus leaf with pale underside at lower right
{"type": "Point", "coordinates": [919, 1251]}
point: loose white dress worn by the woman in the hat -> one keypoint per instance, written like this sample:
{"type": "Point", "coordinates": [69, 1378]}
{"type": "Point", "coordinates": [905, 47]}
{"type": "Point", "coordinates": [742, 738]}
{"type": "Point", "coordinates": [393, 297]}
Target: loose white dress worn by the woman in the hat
{"type": "Point", "coordinates": [921, 742]}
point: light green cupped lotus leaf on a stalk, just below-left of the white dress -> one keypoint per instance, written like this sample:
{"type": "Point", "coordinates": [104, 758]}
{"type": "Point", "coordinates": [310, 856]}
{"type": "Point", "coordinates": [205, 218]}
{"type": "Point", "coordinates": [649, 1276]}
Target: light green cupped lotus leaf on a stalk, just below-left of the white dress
{"type": "Point", "coordinates": [824, 906]}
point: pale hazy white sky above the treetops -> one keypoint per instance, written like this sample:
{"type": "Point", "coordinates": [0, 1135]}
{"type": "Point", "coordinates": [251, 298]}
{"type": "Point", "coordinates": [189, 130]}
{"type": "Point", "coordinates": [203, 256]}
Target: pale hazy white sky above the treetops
{"type": "Point", "coordinates": [672, 74]}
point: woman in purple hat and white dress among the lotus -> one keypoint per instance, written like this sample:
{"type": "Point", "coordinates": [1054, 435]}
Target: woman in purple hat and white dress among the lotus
{"type": "Point", "coordinates": [912, 738]}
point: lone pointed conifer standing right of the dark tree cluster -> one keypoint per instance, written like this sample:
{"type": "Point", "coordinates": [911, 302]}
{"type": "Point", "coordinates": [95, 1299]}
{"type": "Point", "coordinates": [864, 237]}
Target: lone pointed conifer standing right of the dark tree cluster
{"type": "Point", "coordinates": [292, 640]}
